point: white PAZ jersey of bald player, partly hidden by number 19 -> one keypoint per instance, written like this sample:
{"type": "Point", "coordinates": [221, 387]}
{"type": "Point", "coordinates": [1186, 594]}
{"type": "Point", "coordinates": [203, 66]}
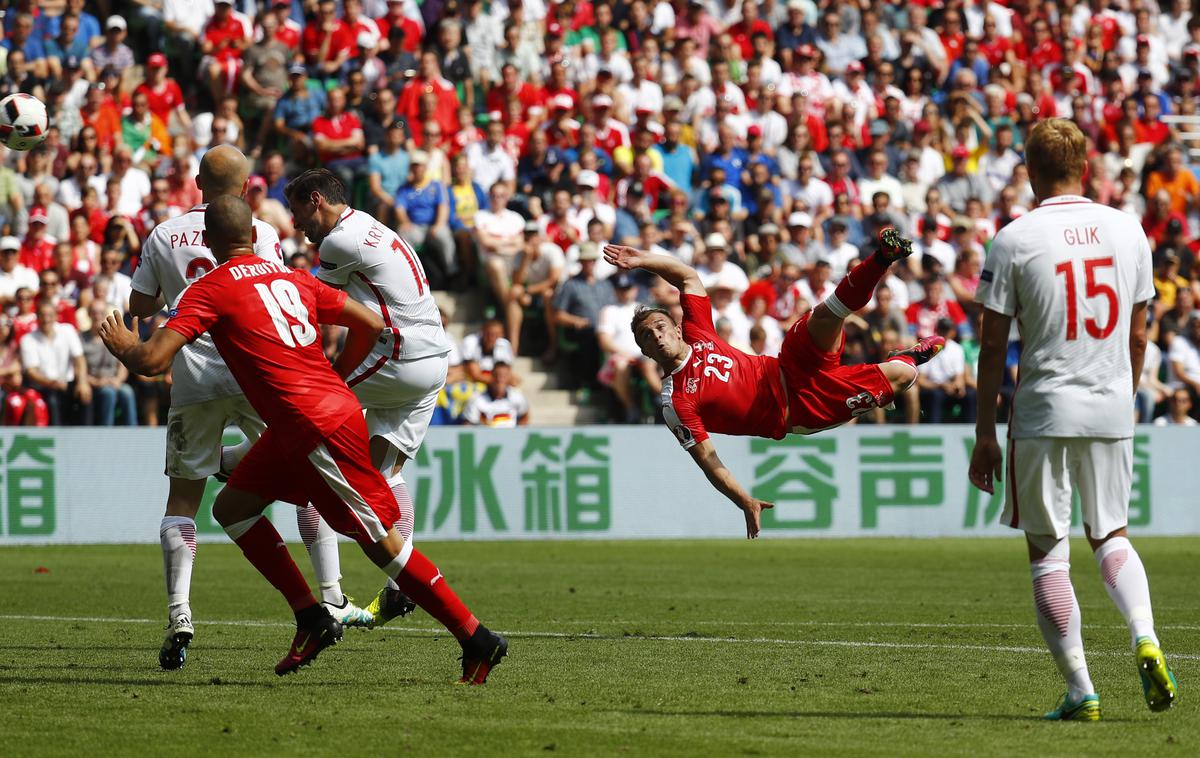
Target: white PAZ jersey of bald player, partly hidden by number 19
{"type": "Point", "coordinates": [173, 257]}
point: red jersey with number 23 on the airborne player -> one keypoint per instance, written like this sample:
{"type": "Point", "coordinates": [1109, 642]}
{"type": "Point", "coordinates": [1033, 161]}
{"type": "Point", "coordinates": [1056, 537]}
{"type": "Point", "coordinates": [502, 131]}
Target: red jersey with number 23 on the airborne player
{"type": "Point", "coordinates": [719, 389]}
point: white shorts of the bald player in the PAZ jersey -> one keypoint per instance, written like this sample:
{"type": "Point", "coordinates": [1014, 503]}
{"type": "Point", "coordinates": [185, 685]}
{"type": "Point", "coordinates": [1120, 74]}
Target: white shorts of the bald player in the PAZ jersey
{"type": "Point", "coordinates": [195, 431]}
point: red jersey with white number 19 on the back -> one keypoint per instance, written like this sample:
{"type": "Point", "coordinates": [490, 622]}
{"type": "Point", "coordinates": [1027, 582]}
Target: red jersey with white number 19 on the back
{"type": "Point", "coordinates": [265, 320]}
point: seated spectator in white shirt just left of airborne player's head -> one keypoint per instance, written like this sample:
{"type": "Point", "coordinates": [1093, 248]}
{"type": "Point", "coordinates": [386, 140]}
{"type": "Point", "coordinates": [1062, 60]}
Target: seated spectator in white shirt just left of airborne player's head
{"type": "Point", "coordinates": [623, 357]}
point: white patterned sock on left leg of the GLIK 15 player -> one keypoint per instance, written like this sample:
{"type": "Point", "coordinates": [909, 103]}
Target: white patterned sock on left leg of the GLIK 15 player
{"type": "Point", "coordinates": [1059, 618]}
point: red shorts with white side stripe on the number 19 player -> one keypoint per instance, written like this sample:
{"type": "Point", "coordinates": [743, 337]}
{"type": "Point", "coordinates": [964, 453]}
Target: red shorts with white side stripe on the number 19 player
{"type": "Point", "coordinates": [337, 478]}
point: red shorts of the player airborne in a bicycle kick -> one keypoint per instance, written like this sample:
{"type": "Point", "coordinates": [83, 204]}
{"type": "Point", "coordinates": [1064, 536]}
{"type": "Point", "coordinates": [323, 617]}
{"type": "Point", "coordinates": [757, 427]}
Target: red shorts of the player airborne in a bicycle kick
{"type": "Point", "coordinates": [823, 393]}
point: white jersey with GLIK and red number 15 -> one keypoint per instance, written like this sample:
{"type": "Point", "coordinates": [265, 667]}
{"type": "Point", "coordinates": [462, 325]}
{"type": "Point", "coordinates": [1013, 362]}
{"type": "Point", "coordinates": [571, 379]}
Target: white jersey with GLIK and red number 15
{"type": "Point", "coordinates": [1071, 272]}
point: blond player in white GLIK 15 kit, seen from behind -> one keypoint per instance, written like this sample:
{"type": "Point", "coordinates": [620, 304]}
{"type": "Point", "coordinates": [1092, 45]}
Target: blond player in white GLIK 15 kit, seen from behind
{"type": "Point", "coordinates": [1077, 275]}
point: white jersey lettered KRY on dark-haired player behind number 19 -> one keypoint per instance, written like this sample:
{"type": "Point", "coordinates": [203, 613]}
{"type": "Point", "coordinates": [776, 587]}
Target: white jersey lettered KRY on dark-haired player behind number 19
{"type": "Point", "coordinates": [379, 269]}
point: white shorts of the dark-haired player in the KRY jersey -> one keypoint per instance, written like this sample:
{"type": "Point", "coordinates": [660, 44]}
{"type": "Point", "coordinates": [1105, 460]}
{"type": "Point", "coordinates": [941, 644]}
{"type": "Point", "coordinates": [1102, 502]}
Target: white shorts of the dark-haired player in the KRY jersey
{"type": "Point", "coordinates": [412, 392]}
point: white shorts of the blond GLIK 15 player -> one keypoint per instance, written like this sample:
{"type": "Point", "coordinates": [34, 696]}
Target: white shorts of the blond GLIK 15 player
{"type": "Point", "coordinates": [1043, 472]}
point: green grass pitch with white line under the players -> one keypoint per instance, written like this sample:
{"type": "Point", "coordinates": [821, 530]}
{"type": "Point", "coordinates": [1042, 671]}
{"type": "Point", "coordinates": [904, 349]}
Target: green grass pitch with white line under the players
{"type": "Point", "coordinates": [865, 648]}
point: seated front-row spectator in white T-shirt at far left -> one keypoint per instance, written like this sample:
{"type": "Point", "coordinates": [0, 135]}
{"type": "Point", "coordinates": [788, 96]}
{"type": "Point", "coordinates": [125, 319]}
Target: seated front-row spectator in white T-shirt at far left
{"type": "Point", "coordinates": [55, 365]}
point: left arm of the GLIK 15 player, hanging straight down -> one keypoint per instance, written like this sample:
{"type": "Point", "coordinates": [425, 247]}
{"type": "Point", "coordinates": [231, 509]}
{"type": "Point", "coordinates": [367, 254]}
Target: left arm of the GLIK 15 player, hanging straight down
{"type": "Point", "coordinates": [986, 460]}
